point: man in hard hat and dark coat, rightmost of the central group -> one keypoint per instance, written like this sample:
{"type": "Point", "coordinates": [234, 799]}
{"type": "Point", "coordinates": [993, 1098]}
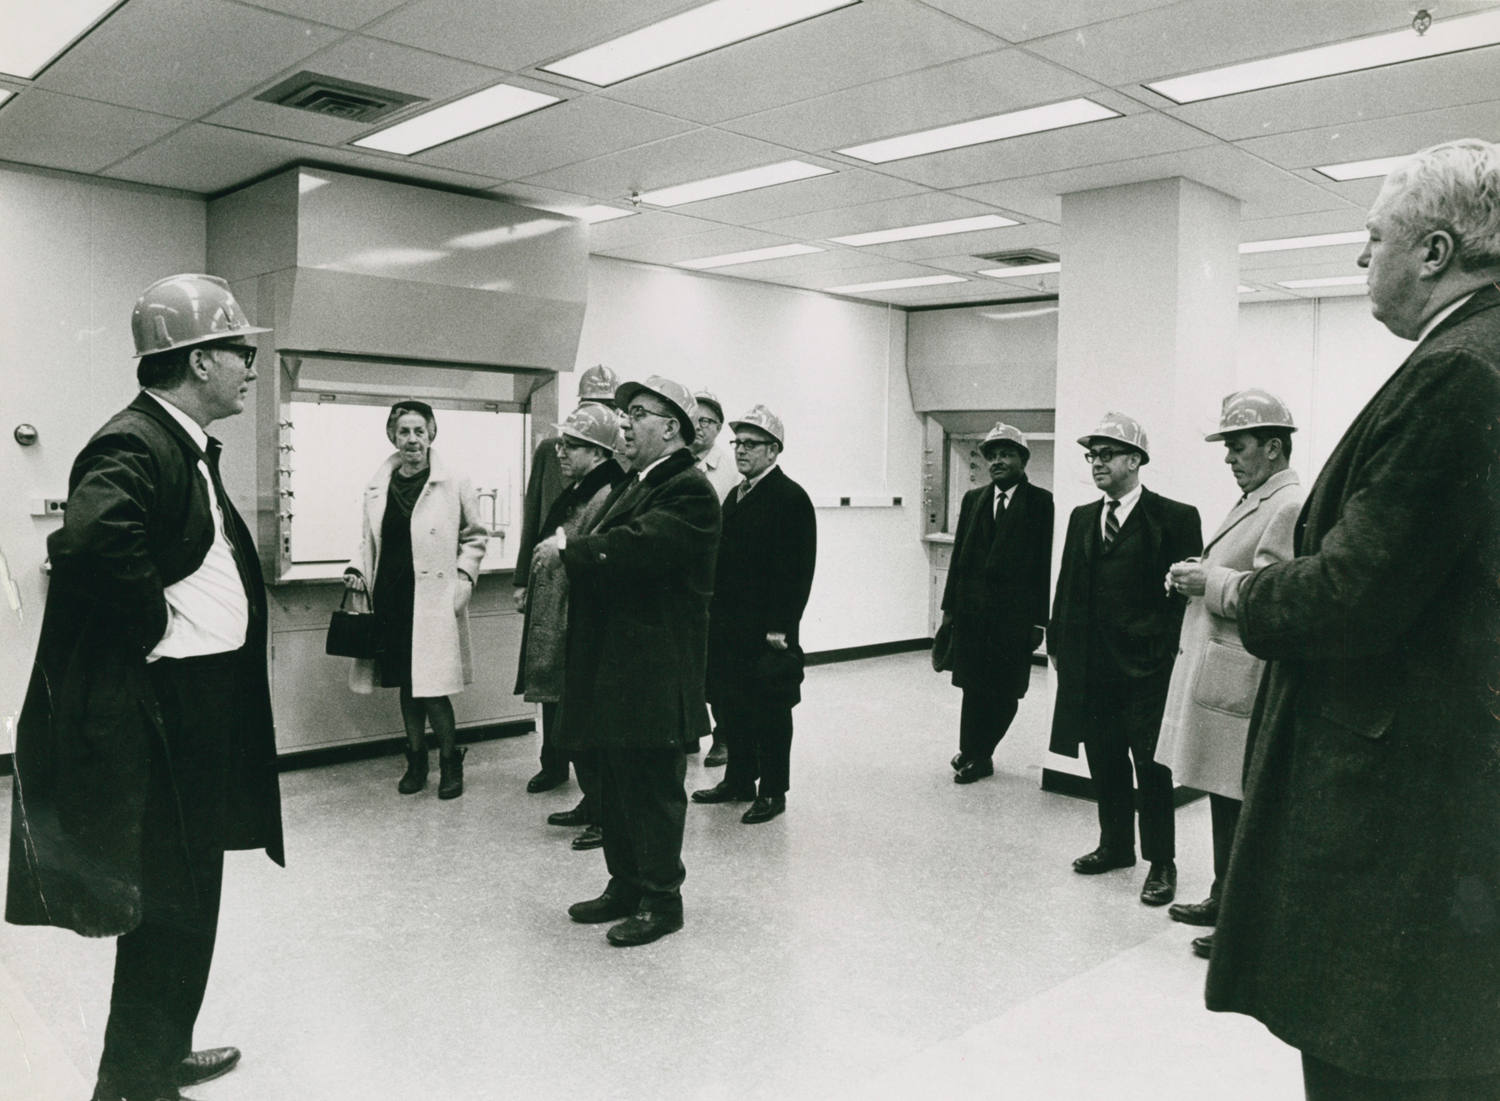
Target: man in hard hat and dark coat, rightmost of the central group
{"type": "Point", "coordinates": [761, 586]}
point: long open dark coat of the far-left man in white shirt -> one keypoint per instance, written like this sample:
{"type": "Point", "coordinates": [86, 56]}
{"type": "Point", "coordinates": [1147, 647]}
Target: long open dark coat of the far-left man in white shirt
{"type": "Point", "coordinates": [139, 520]}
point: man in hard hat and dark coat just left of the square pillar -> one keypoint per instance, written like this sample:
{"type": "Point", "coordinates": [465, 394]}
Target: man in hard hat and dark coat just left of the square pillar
{"type": "Point", "coordinates": [997, 598]}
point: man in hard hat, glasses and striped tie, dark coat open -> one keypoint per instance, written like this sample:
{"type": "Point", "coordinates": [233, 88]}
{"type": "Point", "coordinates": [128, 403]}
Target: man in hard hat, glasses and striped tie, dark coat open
{"type": "Point", "coordinates": [1114, 640]}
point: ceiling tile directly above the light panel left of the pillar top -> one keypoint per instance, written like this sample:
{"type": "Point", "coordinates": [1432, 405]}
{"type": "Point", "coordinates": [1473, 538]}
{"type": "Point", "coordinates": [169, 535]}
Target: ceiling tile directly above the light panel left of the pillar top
{"type": "Point", "coordinates": [974, 88]}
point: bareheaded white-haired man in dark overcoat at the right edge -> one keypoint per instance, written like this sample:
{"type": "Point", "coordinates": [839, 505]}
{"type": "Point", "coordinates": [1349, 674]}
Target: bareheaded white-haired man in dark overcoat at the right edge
{"type": "Point", "coordinates": [1361, 916]}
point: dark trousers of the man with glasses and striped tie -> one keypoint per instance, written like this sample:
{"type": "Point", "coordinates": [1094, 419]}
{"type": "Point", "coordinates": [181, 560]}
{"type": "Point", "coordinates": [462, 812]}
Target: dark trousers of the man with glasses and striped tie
{"type": "Point", "coordinates": [1123, 721]}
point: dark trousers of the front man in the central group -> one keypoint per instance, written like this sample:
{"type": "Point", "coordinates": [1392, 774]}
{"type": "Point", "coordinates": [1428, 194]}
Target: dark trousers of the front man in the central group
{"type": "Point", "coordinates": [643, 811]}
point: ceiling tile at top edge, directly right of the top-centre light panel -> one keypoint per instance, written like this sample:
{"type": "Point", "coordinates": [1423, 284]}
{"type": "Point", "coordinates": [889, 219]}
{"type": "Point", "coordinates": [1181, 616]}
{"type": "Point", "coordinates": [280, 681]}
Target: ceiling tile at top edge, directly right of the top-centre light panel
{"type": "Point", "coordinates": [839, 50]}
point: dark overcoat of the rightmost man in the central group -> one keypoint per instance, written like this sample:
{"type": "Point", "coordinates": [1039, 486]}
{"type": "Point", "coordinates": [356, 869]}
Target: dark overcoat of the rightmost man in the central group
{"type": "Point", "coordinates": [764, 575]}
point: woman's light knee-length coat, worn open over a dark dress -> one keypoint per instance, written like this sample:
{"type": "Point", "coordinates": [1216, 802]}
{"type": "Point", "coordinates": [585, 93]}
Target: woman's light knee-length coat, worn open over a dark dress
{"type": "Point", "coordinates": [446, 538]}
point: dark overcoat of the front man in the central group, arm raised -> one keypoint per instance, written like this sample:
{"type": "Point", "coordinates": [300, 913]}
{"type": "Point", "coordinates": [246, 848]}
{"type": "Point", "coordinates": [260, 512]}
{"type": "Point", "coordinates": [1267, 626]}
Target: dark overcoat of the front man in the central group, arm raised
{"type": "Point", "coordinates": [638, 614]}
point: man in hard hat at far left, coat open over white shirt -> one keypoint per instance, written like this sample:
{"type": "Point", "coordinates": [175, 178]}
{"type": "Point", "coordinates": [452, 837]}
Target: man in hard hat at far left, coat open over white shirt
{"type": "Point", "coordinates": [146, 746]}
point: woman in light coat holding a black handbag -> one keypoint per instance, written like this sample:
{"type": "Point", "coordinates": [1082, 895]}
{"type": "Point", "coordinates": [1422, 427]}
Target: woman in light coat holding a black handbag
{"type": "Point", "coordinates": [424, 545]}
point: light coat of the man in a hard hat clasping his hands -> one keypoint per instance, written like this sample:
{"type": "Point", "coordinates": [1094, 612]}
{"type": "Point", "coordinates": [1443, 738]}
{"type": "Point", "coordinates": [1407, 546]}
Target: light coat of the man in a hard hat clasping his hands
{"type": "Point", "coordinates": [1216, 679]}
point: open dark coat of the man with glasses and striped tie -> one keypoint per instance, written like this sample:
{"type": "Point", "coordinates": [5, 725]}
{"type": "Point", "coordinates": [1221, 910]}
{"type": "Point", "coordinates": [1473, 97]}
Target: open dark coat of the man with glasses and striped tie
{"type": "Point", "coordinates": [1150, 643]}
